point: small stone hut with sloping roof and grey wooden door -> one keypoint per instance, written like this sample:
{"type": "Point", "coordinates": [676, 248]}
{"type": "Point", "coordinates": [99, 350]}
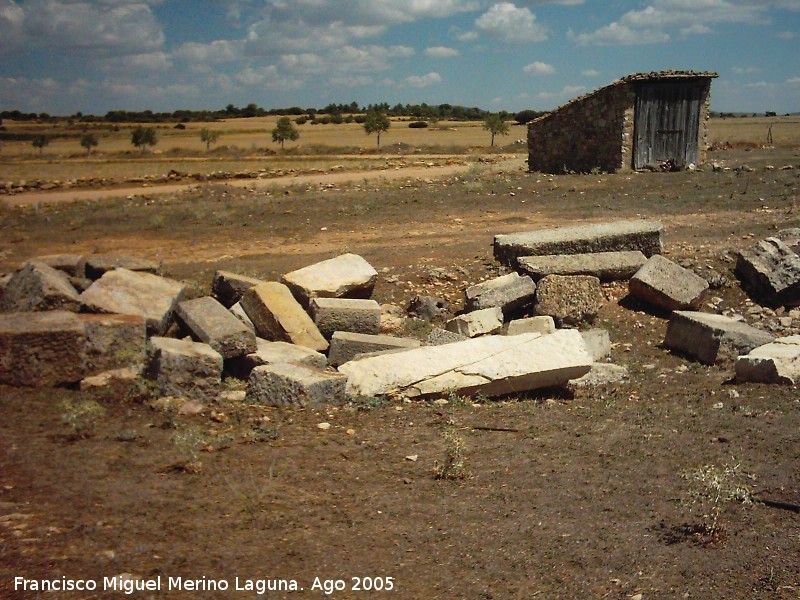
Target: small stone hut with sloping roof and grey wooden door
{"type": "Point", "coordinates": [639, 121]}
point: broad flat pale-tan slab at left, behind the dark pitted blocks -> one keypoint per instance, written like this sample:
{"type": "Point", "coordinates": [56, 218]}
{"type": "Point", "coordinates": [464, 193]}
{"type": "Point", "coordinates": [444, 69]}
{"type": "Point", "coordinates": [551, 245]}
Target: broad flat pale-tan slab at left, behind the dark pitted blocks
{"type": "Point", "coordinates": [136, 293]}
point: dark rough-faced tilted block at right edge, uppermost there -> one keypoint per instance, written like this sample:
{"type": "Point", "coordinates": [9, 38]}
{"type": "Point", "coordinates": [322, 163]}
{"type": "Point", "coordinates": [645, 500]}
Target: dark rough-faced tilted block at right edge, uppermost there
{"type": "Point", "coordinates": [770, 271]}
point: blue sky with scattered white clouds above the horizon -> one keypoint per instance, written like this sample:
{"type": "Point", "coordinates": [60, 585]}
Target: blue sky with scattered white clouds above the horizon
{"type": "Point", "coordinates": [64, 56]}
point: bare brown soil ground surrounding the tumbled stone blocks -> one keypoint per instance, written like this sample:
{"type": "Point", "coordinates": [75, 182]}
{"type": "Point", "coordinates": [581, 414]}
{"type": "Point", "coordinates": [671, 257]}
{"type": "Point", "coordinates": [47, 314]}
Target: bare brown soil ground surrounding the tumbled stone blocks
{"type": "Point", "coordinates": [622, 491]}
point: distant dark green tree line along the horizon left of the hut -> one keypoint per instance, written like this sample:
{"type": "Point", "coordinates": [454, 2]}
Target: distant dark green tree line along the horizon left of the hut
{"type": "Point", "coordinates": [332, 113]}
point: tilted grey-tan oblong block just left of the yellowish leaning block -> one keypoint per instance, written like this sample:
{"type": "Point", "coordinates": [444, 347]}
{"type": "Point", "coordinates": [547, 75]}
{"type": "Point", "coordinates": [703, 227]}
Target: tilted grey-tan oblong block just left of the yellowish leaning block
{"type": "Point", "coordinates": [210, 322]}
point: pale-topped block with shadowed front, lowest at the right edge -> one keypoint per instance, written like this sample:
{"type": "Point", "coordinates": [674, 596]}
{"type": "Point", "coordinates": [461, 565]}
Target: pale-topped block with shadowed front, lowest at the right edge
{"type": "Point", "coordinates": [778, 362]}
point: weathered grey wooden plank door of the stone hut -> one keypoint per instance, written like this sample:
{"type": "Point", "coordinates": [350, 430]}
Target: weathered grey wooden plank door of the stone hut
{"type": "Point", "coordinates": [667, 123]}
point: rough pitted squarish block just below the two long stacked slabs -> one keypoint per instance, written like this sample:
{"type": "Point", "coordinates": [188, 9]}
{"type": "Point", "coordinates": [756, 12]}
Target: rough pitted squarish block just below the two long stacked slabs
{"type": "Point", "coordinates": [570, 300]}
